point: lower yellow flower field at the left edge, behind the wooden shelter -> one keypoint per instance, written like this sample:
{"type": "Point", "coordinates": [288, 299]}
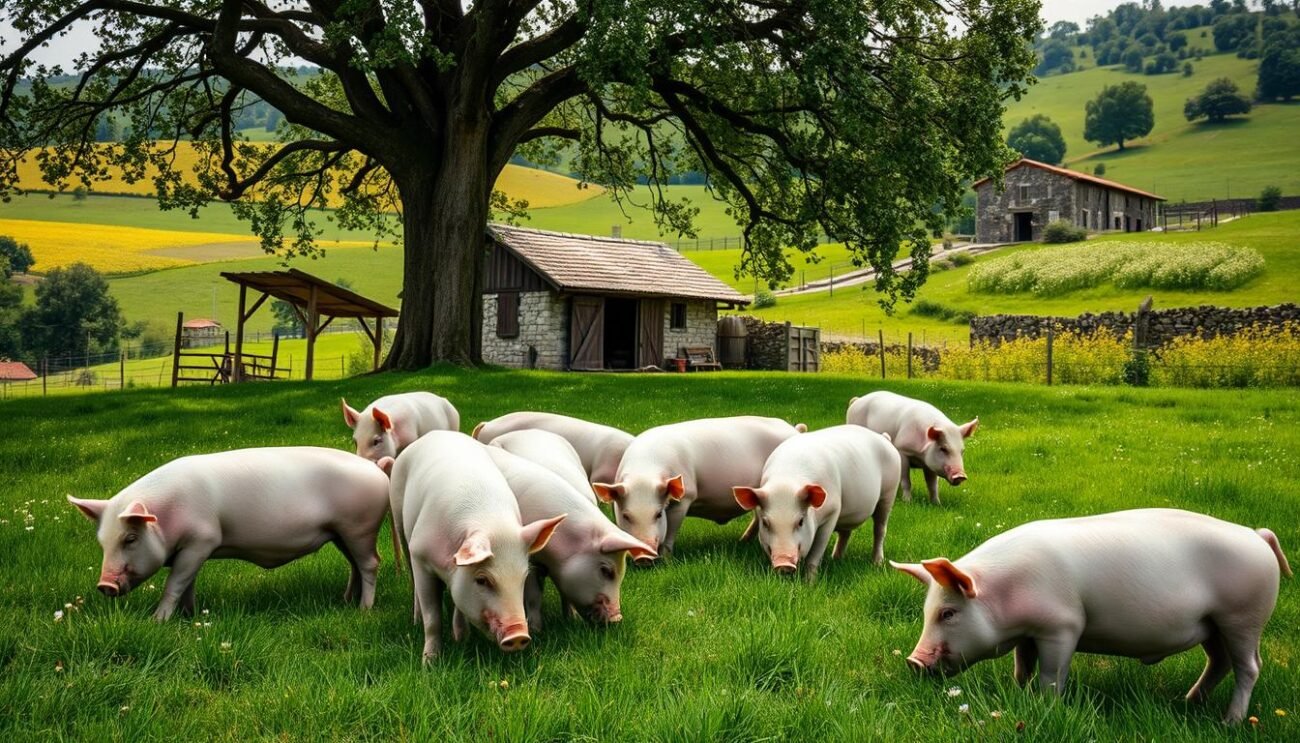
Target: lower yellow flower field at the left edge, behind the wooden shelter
{"type": "Point", "coordinates": [107, 249]}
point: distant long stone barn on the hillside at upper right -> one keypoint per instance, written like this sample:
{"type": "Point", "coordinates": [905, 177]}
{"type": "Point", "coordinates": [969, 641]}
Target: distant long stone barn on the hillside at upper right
{"type": "Point", "coordinates": [1037, 194]}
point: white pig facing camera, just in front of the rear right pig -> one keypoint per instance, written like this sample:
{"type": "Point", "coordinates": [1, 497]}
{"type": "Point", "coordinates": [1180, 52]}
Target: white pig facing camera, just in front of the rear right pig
{"type": "Point", "coordinates": [818, 484]}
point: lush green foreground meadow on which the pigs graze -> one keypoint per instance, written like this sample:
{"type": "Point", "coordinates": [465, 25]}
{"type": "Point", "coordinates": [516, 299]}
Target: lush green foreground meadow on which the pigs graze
{"type": "Point", "coordinates": [714, 645]}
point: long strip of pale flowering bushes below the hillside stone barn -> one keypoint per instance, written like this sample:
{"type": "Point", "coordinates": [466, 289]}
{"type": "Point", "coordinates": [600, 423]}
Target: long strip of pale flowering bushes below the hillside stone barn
{"type": "Point", "coordinates": [1199, 267]}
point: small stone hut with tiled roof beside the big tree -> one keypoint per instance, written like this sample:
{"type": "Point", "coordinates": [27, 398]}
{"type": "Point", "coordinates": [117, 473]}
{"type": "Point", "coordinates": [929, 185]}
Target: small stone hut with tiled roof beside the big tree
{"type": "Point", "coordinates": [554, 301]}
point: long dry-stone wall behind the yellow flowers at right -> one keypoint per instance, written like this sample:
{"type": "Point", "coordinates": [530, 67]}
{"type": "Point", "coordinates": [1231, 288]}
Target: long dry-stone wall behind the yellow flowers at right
{"type": "Point", "coordinates": [1154, 328]}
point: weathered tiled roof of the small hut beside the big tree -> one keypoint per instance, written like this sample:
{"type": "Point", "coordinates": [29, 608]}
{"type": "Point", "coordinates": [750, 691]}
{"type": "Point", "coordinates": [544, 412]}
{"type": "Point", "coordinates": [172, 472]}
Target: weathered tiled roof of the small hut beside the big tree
{"type": "Point", "coordinates": [591, 264]}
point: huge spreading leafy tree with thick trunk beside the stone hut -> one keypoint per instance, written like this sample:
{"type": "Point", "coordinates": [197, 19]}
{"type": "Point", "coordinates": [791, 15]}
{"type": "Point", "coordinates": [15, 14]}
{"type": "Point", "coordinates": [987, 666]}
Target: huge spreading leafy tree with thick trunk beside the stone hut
{"type": "Point", "coordinates": [847, 120]}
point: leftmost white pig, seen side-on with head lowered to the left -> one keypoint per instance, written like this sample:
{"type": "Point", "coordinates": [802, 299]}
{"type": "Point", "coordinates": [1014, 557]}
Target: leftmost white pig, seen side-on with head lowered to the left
{"type": "Point", "coordinates": [265, 506]}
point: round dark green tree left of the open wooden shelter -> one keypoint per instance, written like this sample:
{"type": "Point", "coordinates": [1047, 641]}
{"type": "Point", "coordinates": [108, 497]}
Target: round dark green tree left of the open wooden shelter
{"type": "Point", "coordinates": [73, 315]}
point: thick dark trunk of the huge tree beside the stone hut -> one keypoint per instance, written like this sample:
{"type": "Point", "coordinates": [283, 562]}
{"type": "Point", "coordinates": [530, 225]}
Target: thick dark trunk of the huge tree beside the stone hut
{"type": "Point", "coordinates": [445, 215]}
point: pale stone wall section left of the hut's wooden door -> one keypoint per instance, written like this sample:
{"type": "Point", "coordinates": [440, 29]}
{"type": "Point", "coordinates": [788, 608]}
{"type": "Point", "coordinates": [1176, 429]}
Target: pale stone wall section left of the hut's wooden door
{"type": "Point", "coordinates": [543, 341]}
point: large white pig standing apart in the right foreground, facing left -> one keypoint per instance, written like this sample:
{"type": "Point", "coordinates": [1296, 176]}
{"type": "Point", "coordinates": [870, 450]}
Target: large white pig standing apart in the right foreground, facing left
{"type": "Point", "coordinates": [1143, 584]}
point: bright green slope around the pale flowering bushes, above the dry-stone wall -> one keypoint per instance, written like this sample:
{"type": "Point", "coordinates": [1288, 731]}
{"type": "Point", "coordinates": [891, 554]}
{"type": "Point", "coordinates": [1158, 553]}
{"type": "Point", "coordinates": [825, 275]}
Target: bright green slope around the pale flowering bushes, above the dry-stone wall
{"type": "Point", "coordinates": [853, 311]}
